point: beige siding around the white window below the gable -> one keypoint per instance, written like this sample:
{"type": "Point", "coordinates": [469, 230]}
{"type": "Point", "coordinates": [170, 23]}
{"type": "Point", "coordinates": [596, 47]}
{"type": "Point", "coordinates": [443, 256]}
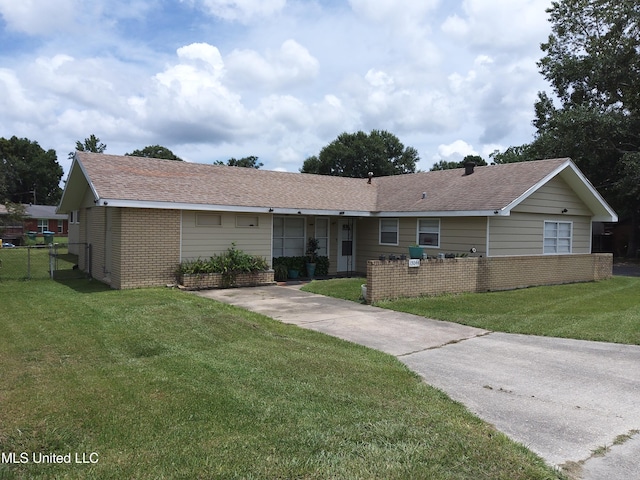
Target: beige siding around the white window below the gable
{"type": "Point", "coordinates": [523, 233]}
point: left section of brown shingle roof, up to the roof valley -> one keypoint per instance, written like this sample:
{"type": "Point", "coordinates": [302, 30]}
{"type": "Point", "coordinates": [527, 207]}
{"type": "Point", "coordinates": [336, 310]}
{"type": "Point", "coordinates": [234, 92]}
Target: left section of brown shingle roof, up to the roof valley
{"type": "Point", "coordinates": [153, 180]}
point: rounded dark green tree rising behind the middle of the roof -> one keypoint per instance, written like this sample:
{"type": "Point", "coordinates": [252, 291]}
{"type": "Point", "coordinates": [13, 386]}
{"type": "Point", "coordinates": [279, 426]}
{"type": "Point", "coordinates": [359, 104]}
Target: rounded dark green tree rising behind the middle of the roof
{"type": "Point", "coordinates": [357, 154]}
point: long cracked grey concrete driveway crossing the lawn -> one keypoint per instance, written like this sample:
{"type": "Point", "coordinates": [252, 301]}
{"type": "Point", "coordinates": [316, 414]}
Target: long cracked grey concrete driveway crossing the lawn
{"type": "Point", "coordinates": [563, 399]}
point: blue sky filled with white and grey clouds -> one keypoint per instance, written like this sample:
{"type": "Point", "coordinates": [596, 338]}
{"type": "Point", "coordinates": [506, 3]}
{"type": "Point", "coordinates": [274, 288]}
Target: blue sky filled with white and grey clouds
{"type": "Point", "coordinates": [279, 79]}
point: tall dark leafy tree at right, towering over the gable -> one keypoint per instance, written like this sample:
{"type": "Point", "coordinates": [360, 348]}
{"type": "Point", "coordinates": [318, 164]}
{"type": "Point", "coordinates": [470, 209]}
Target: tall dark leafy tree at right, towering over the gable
{"type": "Point", "coordinates": [592, 61]}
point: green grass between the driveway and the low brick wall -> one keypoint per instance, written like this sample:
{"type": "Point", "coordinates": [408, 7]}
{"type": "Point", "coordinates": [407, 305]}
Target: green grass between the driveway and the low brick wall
{"type": "Point", "coordinates": [607, 311]}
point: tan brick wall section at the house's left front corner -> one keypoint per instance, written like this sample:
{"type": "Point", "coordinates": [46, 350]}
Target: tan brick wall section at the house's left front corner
{"type": "Point", "coordinates": [146, 247]}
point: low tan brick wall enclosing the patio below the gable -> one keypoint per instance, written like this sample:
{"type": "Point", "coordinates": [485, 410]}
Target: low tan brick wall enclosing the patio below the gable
{"type": "Point", "coordinates": [394, 279]}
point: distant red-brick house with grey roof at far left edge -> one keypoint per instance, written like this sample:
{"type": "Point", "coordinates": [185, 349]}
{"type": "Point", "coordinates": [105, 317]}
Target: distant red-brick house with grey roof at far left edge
{"type": "Point", "coordinates": [39, 219]}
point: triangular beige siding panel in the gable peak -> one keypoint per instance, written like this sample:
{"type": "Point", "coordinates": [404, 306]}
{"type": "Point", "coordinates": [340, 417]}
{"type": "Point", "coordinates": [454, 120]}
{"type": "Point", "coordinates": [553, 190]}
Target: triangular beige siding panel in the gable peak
{"type": "Point", "coordinates": [552, 198]}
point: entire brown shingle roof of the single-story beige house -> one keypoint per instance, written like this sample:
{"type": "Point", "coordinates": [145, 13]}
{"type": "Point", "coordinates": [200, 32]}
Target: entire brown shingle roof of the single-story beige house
{"type": "Point", "coordinates": [140, 179]}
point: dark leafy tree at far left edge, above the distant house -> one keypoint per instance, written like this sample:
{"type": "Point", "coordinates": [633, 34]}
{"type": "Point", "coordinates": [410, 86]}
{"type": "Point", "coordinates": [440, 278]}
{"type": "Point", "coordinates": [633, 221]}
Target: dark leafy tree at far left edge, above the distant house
{"type": "Point", "coordinates": [29, 173]}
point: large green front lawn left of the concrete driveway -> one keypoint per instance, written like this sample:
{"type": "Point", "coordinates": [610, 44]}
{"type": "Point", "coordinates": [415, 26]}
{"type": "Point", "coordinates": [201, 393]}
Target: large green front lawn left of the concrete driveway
{"type": "Point", "coordinates": [164, 384]}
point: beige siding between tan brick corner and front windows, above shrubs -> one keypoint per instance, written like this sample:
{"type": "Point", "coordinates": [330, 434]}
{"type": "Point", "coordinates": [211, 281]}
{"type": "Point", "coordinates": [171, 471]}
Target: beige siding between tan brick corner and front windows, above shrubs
{"type": "Point", "coordinates": [205, 241]}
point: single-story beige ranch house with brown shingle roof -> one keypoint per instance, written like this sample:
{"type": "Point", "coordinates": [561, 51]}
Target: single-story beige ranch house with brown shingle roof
{"type": "Point", "coordinates": [142, 217]}
